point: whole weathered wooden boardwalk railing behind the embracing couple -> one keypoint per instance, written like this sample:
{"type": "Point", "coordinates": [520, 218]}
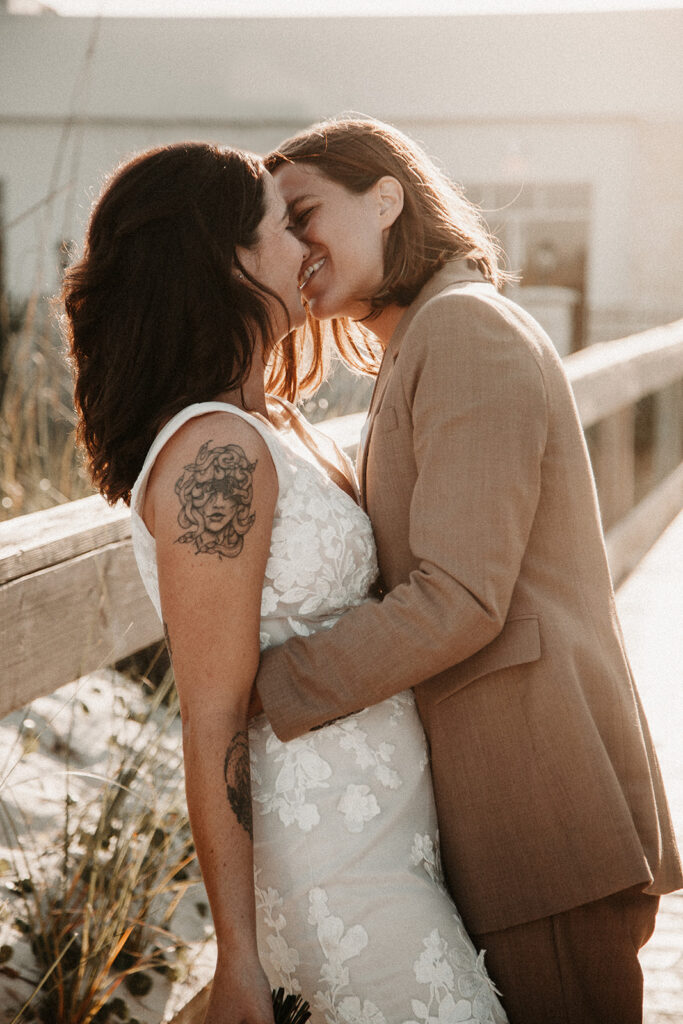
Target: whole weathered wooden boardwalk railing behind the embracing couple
{"type": "Point", "coordinates": [72, 602]}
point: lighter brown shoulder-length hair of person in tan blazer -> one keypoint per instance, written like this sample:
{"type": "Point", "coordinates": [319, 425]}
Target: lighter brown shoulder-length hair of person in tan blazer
{"type": "Point", "coordinates": [437, 225]}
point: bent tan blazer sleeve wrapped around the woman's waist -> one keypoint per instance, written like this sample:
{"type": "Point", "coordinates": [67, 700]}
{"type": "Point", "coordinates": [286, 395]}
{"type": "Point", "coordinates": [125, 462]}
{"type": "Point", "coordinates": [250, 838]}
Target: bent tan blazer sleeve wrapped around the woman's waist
{"type": "Point", "coordinates": [472, 377]}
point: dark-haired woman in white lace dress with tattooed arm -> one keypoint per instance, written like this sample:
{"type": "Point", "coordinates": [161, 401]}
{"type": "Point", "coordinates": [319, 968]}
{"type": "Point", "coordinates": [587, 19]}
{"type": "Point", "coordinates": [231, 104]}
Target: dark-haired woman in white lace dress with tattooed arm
{"type": "Point", "coordinates": [247, 531]}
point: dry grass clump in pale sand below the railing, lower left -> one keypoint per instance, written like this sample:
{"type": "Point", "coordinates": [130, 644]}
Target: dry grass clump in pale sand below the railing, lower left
{"type": "Point", "coordinates": [100, 921]}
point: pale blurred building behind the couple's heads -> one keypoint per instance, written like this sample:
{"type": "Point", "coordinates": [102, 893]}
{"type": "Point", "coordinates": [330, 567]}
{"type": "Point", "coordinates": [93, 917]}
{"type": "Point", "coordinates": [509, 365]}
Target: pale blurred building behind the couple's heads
{"type": "Point", "coordinates": [568, 129]}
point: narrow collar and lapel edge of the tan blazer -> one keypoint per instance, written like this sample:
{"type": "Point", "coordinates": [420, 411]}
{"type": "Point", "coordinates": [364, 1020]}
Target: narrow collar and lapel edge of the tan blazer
{"type": "Point", "coordinates": [455, 273]}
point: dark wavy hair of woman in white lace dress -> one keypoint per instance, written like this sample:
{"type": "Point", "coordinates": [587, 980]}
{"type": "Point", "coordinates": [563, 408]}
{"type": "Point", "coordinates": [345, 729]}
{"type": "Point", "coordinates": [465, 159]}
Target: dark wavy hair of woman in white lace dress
{"type": "Point", "coordinates": [155, 316]}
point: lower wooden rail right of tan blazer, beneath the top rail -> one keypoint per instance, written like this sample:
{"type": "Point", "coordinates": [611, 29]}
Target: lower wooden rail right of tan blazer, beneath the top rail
{"type": "Point", "coordinates": [632, 538]}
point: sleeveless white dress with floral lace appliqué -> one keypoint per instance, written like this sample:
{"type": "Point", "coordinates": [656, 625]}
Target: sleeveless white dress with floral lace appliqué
{"type": "Point", "coordinates": [352, 907]}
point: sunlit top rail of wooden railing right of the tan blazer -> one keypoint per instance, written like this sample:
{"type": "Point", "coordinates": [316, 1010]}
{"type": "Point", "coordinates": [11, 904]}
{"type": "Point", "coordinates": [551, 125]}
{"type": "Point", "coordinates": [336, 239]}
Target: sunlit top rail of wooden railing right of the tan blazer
{"type": "Point", "coordinates": [613, 375]}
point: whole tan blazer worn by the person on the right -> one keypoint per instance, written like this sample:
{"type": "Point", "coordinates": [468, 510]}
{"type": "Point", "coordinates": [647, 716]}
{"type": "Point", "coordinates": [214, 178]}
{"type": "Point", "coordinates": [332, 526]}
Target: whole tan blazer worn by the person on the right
{"type": "Point", "coordinates": [478, 482]}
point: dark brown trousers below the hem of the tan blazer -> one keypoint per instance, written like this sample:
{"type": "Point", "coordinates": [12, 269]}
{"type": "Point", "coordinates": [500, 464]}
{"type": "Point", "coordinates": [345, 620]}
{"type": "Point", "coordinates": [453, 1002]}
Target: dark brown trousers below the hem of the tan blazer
{"type": "Point", "coordinates": [580, 967]}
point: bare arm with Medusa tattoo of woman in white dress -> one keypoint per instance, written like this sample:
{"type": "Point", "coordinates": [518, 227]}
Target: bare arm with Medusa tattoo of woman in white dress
{"type": "Point", "coordinates": [210, 506]}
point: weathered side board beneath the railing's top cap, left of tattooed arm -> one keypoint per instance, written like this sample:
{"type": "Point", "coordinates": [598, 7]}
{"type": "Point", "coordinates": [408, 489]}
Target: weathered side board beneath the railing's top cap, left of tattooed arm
{"type": "Point", "coordinates": [70, 619]}
